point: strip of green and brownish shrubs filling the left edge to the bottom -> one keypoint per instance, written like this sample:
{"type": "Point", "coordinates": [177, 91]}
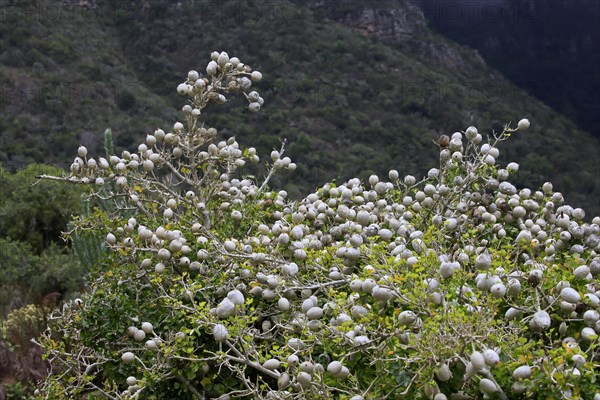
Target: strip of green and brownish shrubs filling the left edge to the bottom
{"type": "Point", "coordinates": [37, 270]}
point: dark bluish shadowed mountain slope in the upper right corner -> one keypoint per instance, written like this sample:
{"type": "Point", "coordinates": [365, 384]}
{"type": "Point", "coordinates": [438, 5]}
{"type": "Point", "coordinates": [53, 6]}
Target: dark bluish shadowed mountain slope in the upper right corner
{"type": "Point", "coordinates": [539, 39]}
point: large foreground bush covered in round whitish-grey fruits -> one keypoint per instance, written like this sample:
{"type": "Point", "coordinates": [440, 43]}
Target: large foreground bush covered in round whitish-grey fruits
{"type": "Point", "coordinates": [457, 285]}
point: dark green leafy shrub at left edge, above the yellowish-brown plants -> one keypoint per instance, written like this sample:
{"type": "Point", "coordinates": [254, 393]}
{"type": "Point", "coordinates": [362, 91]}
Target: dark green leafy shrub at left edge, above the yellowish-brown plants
{"type": "Point", "coordinates": [35, 260]}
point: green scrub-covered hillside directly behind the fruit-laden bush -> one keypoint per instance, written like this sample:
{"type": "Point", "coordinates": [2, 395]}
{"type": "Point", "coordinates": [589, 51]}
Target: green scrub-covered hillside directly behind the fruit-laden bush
{"type": "Point", "coordinates": [348, 104]}
